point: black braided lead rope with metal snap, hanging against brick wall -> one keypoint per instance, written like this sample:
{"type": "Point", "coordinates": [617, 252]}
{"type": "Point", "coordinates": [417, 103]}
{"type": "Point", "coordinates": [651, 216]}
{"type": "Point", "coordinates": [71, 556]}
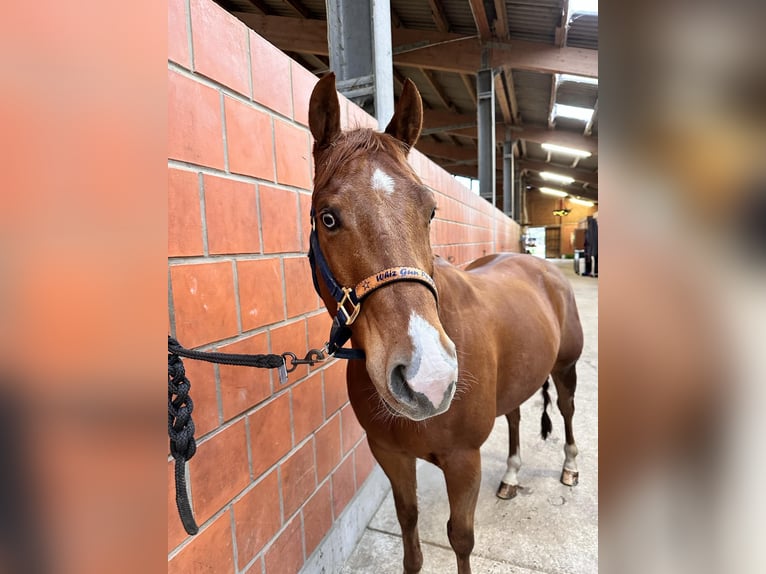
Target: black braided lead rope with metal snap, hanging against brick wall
{"type": "Point", "coordinates": [180, 406]}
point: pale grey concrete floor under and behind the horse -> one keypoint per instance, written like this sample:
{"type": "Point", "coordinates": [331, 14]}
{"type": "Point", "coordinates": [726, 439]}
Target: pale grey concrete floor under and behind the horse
{"type": "Point", "coordinates": [548, 527]}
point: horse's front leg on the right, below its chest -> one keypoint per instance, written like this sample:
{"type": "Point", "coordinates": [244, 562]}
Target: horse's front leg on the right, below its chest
{"type": "Point", "coordinates": [462, 472]}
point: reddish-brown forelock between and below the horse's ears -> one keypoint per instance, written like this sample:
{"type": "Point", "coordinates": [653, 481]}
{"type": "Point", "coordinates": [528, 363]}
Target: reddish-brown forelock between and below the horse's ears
{"type": "Point", "coordinates": [350, 145]}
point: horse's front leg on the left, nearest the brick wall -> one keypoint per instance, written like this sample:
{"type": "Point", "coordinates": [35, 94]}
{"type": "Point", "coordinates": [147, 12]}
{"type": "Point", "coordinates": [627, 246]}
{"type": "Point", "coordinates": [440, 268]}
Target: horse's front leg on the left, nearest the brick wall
{"type": "Point", "coordinates": [400, 470]}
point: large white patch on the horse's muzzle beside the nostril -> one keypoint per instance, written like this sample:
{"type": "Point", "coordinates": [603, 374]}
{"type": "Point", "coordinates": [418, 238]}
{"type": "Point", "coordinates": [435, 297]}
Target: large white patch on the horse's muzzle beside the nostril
{"type": "Point", "coordinates": [432, 368]}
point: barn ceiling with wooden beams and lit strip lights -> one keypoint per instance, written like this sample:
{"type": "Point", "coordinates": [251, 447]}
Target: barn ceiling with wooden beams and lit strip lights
{"type": "Point", "coordinates": [544, 53]}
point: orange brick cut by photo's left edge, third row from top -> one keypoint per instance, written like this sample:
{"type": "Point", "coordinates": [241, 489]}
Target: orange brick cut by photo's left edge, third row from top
{"type": "Point", "coordinates": [184, 219]}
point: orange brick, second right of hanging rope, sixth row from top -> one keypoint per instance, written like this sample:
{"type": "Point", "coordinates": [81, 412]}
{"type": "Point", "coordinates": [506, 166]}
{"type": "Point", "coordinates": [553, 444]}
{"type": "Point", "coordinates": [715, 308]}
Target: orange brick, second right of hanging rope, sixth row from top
{"type": "Point", "coordinates": [270, 437]}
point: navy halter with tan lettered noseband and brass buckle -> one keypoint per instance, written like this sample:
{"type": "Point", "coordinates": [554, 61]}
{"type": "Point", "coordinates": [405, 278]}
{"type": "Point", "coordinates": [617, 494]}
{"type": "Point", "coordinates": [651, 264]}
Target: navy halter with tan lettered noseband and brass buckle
{"type": "Point", "coordinates": [350, 299]}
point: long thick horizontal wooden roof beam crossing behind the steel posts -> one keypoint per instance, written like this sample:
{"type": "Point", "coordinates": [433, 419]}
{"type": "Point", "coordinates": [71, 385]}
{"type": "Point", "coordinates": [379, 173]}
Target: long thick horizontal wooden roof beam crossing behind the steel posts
{"type": "Point", "coordinates": [432, 50]}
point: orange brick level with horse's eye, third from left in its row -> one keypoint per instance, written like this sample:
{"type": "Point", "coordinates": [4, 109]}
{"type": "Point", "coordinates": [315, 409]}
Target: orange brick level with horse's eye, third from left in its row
{"type": "Point", "coordinates": [279, 220]}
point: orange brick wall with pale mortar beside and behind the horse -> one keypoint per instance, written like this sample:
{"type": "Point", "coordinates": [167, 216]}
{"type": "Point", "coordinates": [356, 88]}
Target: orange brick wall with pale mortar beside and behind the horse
{"type": "Point", "coordinates": [276, 464]}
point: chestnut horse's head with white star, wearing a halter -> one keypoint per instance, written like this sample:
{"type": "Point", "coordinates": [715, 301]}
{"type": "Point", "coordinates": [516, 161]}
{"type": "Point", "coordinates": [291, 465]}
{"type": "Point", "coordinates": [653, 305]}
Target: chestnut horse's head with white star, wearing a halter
{"type": "Point", "coordinates": [371, 218]}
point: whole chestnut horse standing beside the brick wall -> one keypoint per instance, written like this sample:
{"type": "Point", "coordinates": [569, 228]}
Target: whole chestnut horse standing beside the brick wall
{"type": "Point", "coordinates": [445, 350]}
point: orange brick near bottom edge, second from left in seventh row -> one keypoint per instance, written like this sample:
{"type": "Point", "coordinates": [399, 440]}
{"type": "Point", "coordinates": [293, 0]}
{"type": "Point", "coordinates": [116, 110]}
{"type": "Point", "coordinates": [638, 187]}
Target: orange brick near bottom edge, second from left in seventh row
{"type": "Point", "coordinates": [257, 518]}
